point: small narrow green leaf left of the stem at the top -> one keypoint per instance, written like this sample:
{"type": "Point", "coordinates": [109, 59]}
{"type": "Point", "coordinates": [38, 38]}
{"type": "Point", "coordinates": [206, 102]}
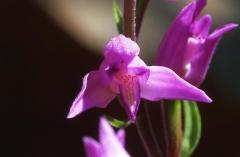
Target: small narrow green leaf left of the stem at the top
{"type": "Point", "coordinates": [117, 16]}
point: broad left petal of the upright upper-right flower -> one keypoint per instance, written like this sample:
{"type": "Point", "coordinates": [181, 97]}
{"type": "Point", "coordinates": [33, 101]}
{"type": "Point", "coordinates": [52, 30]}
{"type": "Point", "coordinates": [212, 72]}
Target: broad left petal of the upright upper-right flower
{"type": "Point", "coordinates": [173, 45]}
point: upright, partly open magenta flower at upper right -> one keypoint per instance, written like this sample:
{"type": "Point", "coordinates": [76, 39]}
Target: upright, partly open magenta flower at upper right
{"type": "Point", "coordinates": [187, 48]}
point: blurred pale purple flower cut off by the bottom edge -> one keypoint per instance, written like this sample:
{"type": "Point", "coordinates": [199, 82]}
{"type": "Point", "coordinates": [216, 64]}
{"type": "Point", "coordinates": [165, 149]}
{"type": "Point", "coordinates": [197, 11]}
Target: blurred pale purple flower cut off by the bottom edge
{"type": "Point", "coordinates": [109, 145]}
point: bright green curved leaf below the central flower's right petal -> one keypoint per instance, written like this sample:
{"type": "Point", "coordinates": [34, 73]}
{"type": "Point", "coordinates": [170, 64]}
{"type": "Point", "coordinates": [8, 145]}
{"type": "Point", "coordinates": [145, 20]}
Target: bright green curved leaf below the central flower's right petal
{"type": "Point", "coordinates": [192, 128]}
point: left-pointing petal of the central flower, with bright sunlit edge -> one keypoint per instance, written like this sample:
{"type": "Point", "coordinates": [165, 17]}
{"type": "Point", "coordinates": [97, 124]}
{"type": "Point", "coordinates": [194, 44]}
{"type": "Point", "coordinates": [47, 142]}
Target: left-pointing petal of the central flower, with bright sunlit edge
{"type": "Point", "coordinates": [94, 93]}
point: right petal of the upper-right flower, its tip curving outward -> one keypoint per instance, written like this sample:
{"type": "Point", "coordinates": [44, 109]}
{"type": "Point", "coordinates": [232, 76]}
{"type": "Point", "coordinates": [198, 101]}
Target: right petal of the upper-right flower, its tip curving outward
{"type": "Point", "coordinates": [201, 60]}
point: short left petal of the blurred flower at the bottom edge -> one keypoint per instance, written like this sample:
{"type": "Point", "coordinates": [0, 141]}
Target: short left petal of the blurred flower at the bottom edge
{"type": "Point", "coordinates": [92, 147]}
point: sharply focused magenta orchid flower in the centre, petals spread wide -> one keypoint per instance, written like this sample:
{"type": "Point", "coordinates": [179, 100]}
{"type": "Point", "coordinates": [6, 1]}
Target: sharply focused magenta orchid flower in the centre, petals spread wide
{"type": "Point", "coordinates": [123, 73]}
